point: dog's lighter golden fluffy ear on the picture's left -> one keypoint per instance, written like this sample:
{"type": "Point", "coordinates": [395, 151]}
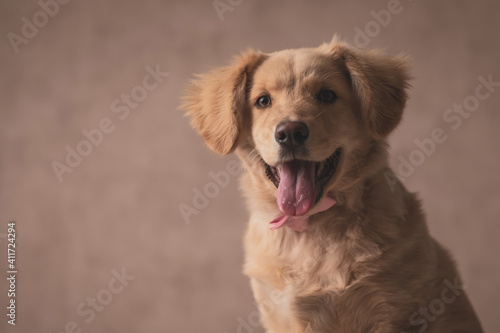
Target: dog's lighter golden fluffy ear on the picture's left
{"type": "Point", "coordinates": [216, 102]}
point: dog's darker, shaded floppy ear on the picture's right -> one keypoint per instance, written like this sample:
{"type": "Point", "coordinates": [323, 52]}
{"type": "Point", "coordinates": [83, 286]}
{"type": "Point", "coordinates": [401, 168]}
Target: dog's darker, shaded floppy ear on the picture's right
{"type": "Point", "coordinates": [379, 83]}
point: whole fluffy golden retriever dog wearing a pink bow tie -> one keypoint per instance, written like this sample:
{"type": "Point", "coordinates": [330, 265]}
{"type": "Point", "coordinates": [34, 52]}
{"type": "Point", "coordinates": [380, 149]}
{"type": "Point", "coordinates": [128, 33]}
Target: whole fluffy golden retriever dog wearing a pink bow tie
{"type": "Point", "coordinates": [334, 243]}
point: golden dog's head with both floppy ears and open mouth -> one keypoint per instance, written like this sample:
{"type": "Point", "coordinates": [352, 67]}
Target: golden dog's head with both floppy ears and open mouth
{"type": "Point", "coordinates": [307, 121]}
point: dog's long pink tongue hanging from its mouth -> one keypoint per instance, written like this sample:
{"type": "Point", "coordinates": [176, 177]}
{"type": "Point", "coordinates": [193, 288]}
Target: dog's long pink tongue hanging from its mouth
{"type": "Point", "coordinates": [296, 192]}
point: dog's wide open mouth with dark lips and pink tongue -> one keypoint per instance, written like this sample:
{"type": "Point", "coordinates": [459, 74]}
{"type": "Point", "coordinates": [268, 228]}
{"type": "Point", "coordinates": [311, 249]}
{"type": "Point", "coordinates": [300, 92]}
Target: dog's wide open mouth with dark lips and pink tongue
{"type": "Point", "coordinates": [300, 183]}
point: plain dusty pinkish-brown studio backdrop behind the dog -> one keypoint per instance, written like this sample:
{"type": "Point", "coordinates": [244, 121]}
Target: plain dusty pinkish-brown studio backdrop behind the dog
{"type": "Point", "coordinates": [117, 211]}
